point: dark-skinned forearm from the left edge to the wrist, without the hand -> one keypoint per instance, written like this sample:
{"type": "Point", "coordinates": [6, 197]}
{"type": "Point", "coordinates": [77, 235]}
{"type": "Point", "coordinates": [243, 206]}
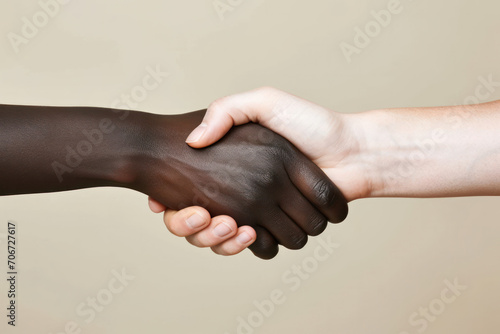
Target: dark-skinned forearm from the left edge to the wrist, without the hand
{"type": "Point", "coordinates": [46, 149]}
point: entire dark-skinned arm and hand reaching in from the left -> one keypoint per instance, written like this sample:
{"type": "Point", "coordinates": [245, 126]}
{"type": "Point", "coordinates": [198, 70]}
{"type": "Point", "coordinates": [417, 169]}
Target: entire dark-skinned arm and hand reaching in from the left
{"type": "Point", "coordinates": [252, 174]}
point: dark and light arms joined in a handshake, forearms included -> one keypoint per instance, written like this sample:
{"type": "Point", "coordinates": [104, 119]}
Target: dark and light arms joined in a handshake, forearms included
{"type": "Point", "coordinates": [241, 185]}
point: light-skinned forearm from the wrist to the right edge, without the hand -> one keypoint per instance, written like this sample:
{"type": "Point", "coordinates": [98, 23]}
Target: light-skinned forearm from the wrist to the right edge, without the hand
{"type": "Point", "coordinates": [429, 152]}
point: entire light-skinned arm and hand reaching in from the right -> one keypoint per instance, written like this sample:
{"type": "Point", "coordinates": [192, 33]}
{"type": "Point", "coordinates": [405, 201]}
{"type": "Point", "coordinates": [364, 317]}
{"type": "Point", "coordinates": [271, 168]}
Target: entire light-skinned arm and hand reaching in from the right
{"type": "Point", "coordinates": [404, 152]}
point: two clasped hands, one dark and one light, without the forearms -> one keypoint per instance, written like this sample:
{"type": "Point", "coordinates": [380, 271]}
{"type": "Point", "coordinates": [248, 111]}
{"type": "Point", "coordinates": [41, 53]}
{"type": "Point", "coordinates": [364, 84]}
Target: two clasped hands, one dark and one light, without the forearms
{"type": "Point", "coordinates": [247, 175]}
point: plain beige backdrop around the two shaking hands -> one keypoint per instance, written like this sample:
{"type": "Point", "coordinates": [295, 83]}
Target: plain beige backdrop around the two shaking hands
{"type": "Point", "coordinates": [393, 255]}
